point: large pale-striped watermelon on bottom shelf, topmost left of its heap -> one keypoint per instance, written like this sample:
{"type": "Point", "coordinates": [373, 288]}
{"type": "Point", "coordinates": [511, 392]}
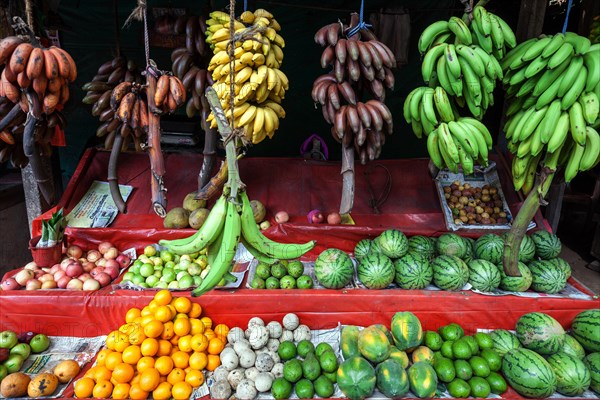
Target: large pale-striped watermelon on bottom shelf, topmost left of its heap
{"type": "Point", "coordinates": [540, 332]}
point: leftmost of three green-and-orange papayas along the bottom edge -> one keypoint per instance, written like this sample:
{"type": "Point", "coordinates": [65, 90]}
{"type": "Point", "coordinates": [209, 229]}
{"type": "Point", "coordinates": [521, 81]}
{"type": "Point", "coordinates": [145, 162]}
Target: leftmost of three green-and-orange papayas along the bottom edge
{"type": "Point", "coordinates": [356, 378]}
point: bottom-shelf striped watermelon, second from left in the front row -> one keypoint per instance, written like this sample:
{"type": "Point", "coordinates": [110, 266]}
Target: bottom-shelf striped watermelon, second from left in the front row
{"type": "Point", "coordinates": [572, 376]}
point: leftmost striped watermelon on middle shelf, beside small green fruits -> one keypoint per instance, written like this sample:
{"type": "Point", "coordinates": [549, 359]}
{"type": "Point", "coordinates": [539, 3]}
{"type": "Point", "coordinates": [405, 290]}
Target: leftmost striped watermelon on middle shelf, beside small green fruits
{"type": "Point", "coordinates": [334, 269]}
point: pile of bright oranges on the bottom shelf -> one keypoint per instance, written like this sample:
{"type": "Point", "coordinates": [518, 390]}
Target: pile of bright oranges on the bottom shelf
{"type": "Point", "coordinates": [160, 351]}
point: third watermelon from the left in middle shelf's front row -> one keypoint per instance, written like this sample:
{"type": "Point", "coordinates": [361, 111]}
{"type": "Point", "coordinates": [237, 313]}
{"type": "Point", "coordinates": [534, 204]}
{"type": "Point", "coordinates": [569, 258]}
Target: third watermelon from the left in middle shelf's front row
{"type": "Point", "coordinates": [413, 271]}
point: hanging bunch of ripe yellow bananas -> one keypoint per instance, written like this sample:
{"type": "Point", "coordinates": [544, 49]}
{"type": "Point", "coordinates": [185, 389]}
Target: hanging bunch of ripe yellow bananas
{"type": "Point", "coordinates": [260, 85]}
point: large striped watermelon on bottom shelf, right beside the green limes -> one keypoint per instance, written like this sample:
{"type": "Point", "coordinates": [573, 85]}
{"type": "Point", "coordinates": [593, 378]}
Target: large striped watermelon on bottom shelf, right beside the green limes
{"type": "Point", "coordinates": [528, 373]}
